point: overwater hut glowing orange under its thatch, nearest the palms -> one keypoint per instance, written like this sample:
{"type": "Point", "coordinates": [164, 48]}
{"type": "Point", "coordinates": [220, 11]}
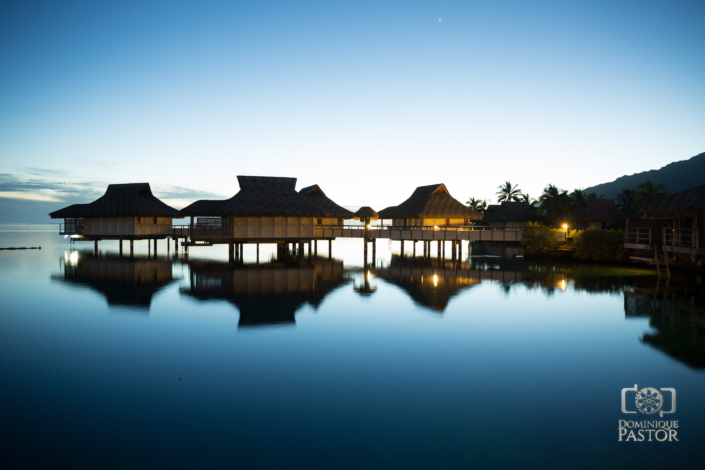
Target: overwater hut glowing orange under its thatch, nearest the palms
{"type": "Point", "coordinates": [430, 206]}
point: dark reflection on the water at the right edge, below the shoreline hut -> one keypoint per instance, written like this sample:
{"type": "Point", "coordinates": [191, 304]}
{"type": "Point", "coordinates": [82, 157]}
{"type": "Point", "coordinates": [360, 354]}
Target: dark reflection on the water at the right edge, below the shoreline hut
{"type": "Point", "coordinates": [676, 315]}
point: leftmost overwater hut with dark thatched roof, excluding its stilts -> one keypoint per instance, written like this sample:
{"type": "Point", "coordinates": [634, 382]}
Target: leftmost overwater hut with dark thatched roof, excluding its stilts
{"type": "Point", "coordinates": [125, 211]}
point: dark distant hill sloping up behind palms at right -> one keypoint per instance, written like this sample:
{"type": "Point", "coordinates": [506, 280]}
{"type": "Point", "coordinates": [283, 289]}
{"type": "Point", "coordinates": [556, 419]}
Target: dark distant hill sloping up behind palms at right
{"type": "Point", "coordinates": [677, 176]}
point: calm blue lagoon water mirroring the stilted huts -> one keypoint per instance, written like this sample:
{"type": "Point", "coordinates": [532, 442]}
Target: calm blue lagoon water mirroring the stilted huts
{"type": "Point", "coordinates": [112, 362]}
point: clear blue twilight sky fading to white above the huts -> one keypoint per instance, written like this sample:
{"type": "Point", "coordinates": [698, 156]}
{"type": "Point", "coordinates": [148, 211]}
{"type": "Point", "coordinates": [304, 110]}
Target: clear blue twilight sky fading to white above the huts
{"type": "Point", "coordinates": [367, 99]}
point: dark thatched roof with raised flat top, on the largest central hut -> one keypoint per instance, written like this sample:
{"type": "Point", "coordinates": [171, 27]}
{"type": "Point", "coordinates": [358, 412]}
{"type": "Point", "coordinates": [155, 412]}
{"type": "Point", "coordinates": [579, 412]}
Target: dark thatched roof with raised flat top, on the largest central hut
{"type": "Point", "coordinates": [259, 196]}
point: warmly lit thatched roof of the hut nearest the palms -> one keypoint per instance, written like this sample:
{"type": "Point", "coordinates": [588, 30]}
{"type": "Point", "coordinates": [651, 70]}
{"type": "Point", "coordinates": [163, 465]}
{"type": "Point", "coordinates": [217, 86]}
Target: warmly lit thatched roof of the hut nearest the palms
{"type": "Point", "coordinates": [431, 201]}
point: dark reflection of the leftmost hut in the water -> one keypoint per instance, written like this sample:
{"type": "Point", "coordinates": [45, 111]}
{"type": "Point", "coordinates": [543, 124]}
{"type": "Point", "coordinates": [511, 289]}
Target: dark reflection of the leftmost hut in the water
{"type": "Point", "coordinates": [124, 282]}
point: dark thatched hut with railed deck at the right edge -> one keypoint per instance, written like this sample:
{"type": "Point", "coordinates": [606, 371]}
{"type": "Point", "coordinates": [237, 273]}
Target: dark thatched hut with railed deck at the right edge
{"type": "Point", "coordinates": [675, 225]}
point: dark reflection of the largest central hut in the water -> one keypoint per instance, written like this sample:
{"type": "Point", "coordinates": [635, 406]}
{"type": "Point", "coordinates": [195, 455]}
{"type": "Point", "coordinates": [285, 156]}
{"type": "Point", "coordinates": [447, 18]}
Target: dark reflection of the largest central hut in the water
{"type": "Point", "coordinates": [268, 293]}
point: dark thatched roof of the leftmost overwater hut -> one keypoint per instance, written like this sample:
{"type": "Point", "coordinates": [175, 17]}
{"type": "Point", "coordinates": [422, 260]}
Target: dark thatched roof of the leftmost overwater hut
{"type": "Point", "coordinates": [120, 200]}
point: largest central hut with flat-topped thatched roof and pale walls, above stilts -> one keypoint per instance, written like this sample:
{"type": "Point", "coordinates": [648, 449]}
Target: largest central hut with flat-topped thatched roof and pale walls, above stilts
{"type": "Point", "coordinates": [265, 210]}
